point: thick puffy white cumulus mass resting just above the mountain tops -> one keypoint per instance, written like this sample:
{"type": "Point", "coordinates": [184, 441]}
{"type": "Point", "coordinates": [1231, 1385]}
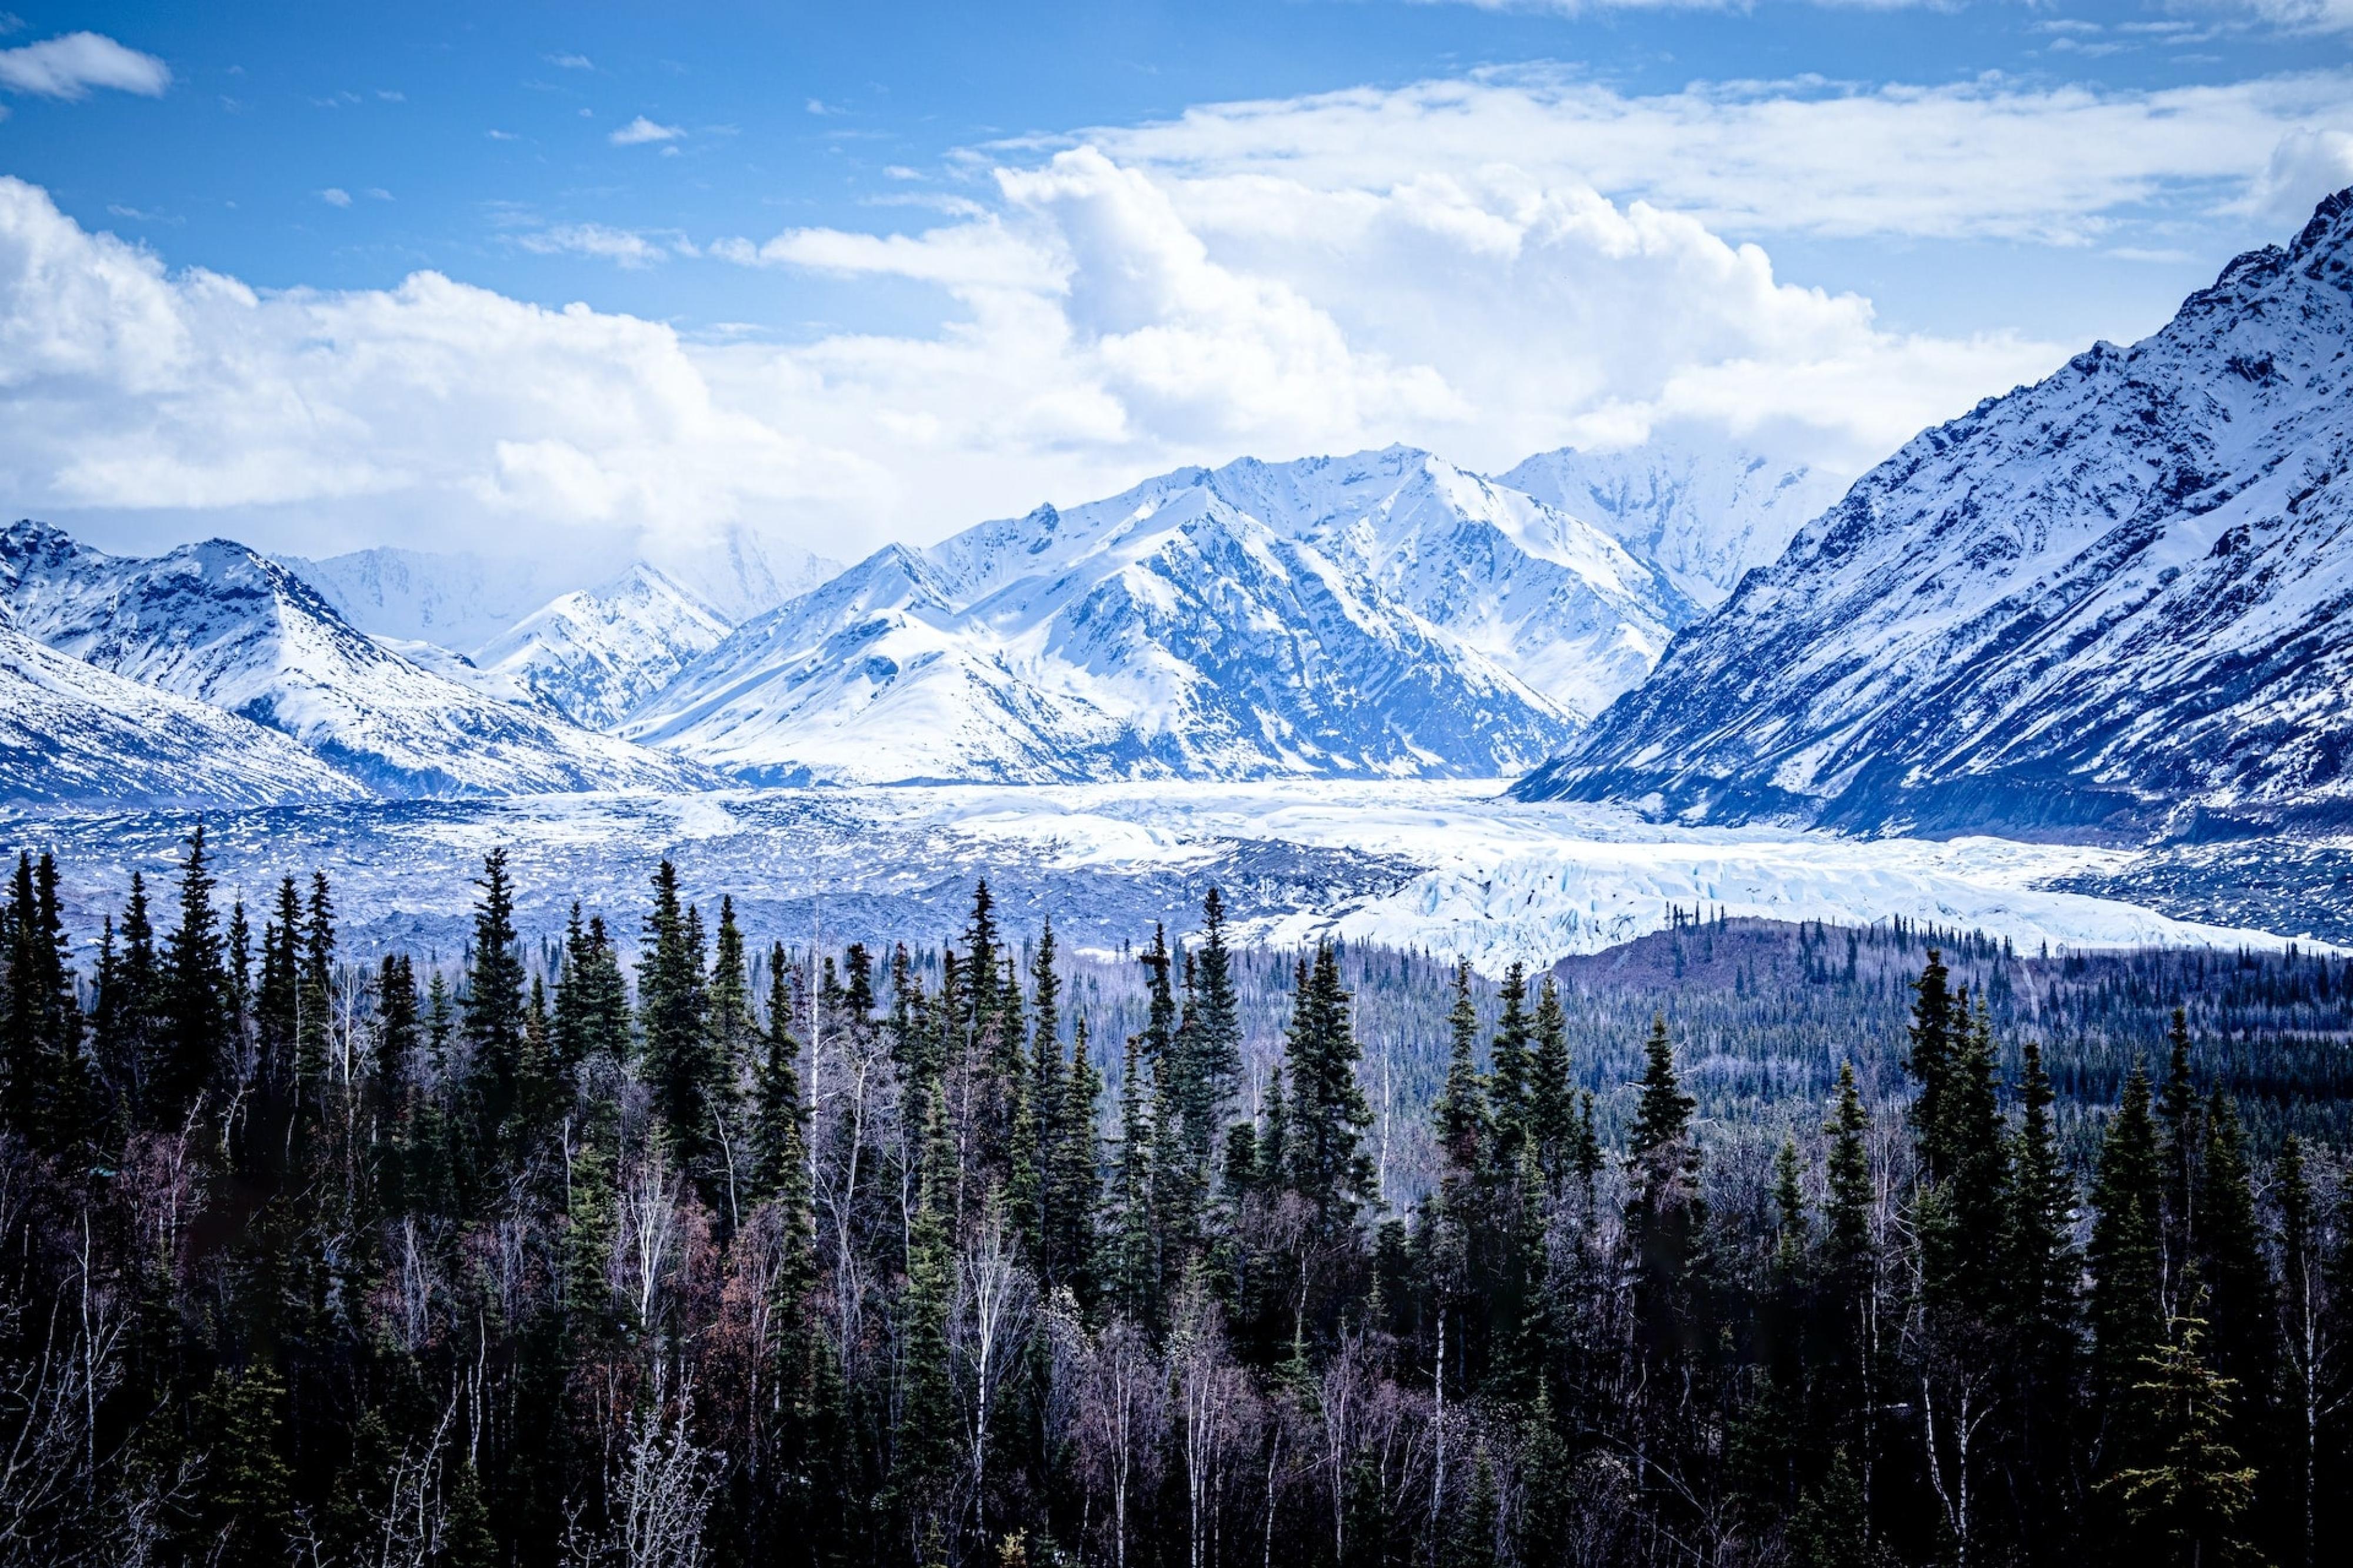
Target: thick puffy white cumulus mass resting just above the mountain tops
{"type": "Point", "coordinates": [1093, 333]}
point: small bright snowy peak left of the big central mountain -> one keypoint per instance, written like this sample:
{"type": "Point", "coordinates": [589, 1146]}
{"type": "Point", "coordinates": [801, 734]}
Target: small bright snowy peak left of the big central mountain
{"type": "Point", "coordinates": [596, 656]}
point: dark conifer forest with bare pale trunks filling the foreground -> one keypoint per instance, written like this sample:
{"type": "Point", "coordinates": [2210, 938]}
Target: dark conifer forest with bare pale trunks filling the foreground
{"type": "Point", "coordinates": [665, 1242]}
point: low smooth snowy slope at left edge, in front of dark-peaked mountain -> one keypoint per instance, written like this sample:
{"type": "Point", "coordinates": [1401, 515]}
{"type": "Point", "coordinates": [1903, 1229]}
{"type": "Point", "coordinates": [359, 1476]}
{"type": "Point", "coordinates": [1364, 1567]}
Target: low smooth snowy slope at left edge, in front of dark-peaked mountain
{"type": "Point", "coordinates": [79, 736]}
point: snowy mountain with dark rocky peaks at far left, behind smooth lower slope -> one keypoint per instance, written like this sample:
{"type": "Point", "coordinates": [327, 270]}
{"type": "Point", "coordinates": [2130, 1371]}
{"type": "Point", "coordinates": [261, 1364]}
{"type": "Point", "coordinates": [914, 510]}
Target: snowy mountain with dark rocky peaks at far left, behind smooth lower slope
{"type": "Point", "coordinates": [215, 623]}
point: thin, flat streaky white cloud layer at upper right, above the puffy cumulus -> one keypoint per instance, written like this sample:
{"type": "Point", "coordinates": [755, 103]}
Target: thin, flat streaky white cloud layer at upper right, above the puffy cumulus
{"type": "Point", "coordinates": [1985, 159]}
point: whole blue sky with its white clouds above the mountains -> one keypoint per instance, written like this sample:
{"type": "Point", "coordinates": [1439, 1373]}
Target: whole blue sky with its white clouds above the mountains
{"type": "Point", "coordinates": [872, 272]}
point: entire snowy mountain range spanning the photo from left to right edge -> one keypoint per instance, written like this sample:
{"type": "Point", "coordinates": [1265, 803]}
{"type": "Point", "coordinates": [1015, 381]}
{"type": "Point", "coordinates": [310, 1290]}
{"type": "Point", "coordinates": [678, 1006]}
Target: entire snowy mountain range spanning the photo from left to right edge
{"type": "Point", "coordinates": [2117, 604]}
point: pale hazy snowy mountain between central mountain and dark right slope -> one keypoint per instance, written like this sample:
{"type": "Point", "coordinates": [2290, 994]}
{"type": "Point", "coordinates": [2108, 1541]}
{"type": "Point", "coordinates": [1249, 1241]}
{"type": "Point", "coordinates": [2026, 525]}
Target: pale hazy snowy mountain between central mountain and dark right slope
{"type": "Point", "coordinates": [1702, 514]}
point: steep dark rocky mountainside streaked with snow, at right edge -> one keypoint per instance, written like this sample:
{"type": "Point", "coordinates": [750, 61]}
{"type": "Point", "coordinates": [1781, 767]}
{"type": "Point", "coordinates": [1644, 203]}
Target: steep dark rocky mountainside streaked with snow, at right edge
{"type": "Point", "coordinates": [2112, 604]}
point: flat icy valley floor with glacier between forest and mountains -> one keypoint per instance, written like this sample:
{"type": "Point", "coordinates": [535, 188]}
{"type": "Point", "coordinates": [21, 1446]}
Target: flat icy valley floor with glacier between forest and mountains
{"type": "Point", "coordinates": [1451, 868]}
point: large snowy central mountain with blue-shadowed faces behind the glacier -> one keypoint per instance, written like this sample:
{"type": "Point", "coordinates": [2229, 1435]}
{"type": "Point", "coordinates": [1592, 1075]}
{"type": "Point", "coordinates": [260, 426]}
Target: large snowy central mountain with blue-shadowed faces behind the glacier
{"type": "Point", "coordinates": [1366, 616]}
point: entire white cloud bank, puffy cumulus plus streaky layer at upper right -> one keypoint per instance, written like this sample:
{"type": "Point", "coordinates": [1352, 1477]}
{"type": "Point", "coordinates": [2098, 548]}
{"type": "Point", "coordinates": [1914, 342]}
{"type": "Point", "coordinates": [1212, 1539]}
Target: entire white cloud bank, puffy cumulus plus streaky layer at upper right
{"type": "Point", "coordinates": [1486, 267]}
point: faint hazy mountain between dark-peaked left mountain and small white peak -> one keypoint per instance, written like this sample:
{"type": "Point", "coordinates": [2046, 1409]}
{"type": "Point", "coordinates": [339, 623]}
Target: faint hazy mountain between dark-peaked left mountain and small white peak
{"type": "Point", "coordinates": [453, 602]}
